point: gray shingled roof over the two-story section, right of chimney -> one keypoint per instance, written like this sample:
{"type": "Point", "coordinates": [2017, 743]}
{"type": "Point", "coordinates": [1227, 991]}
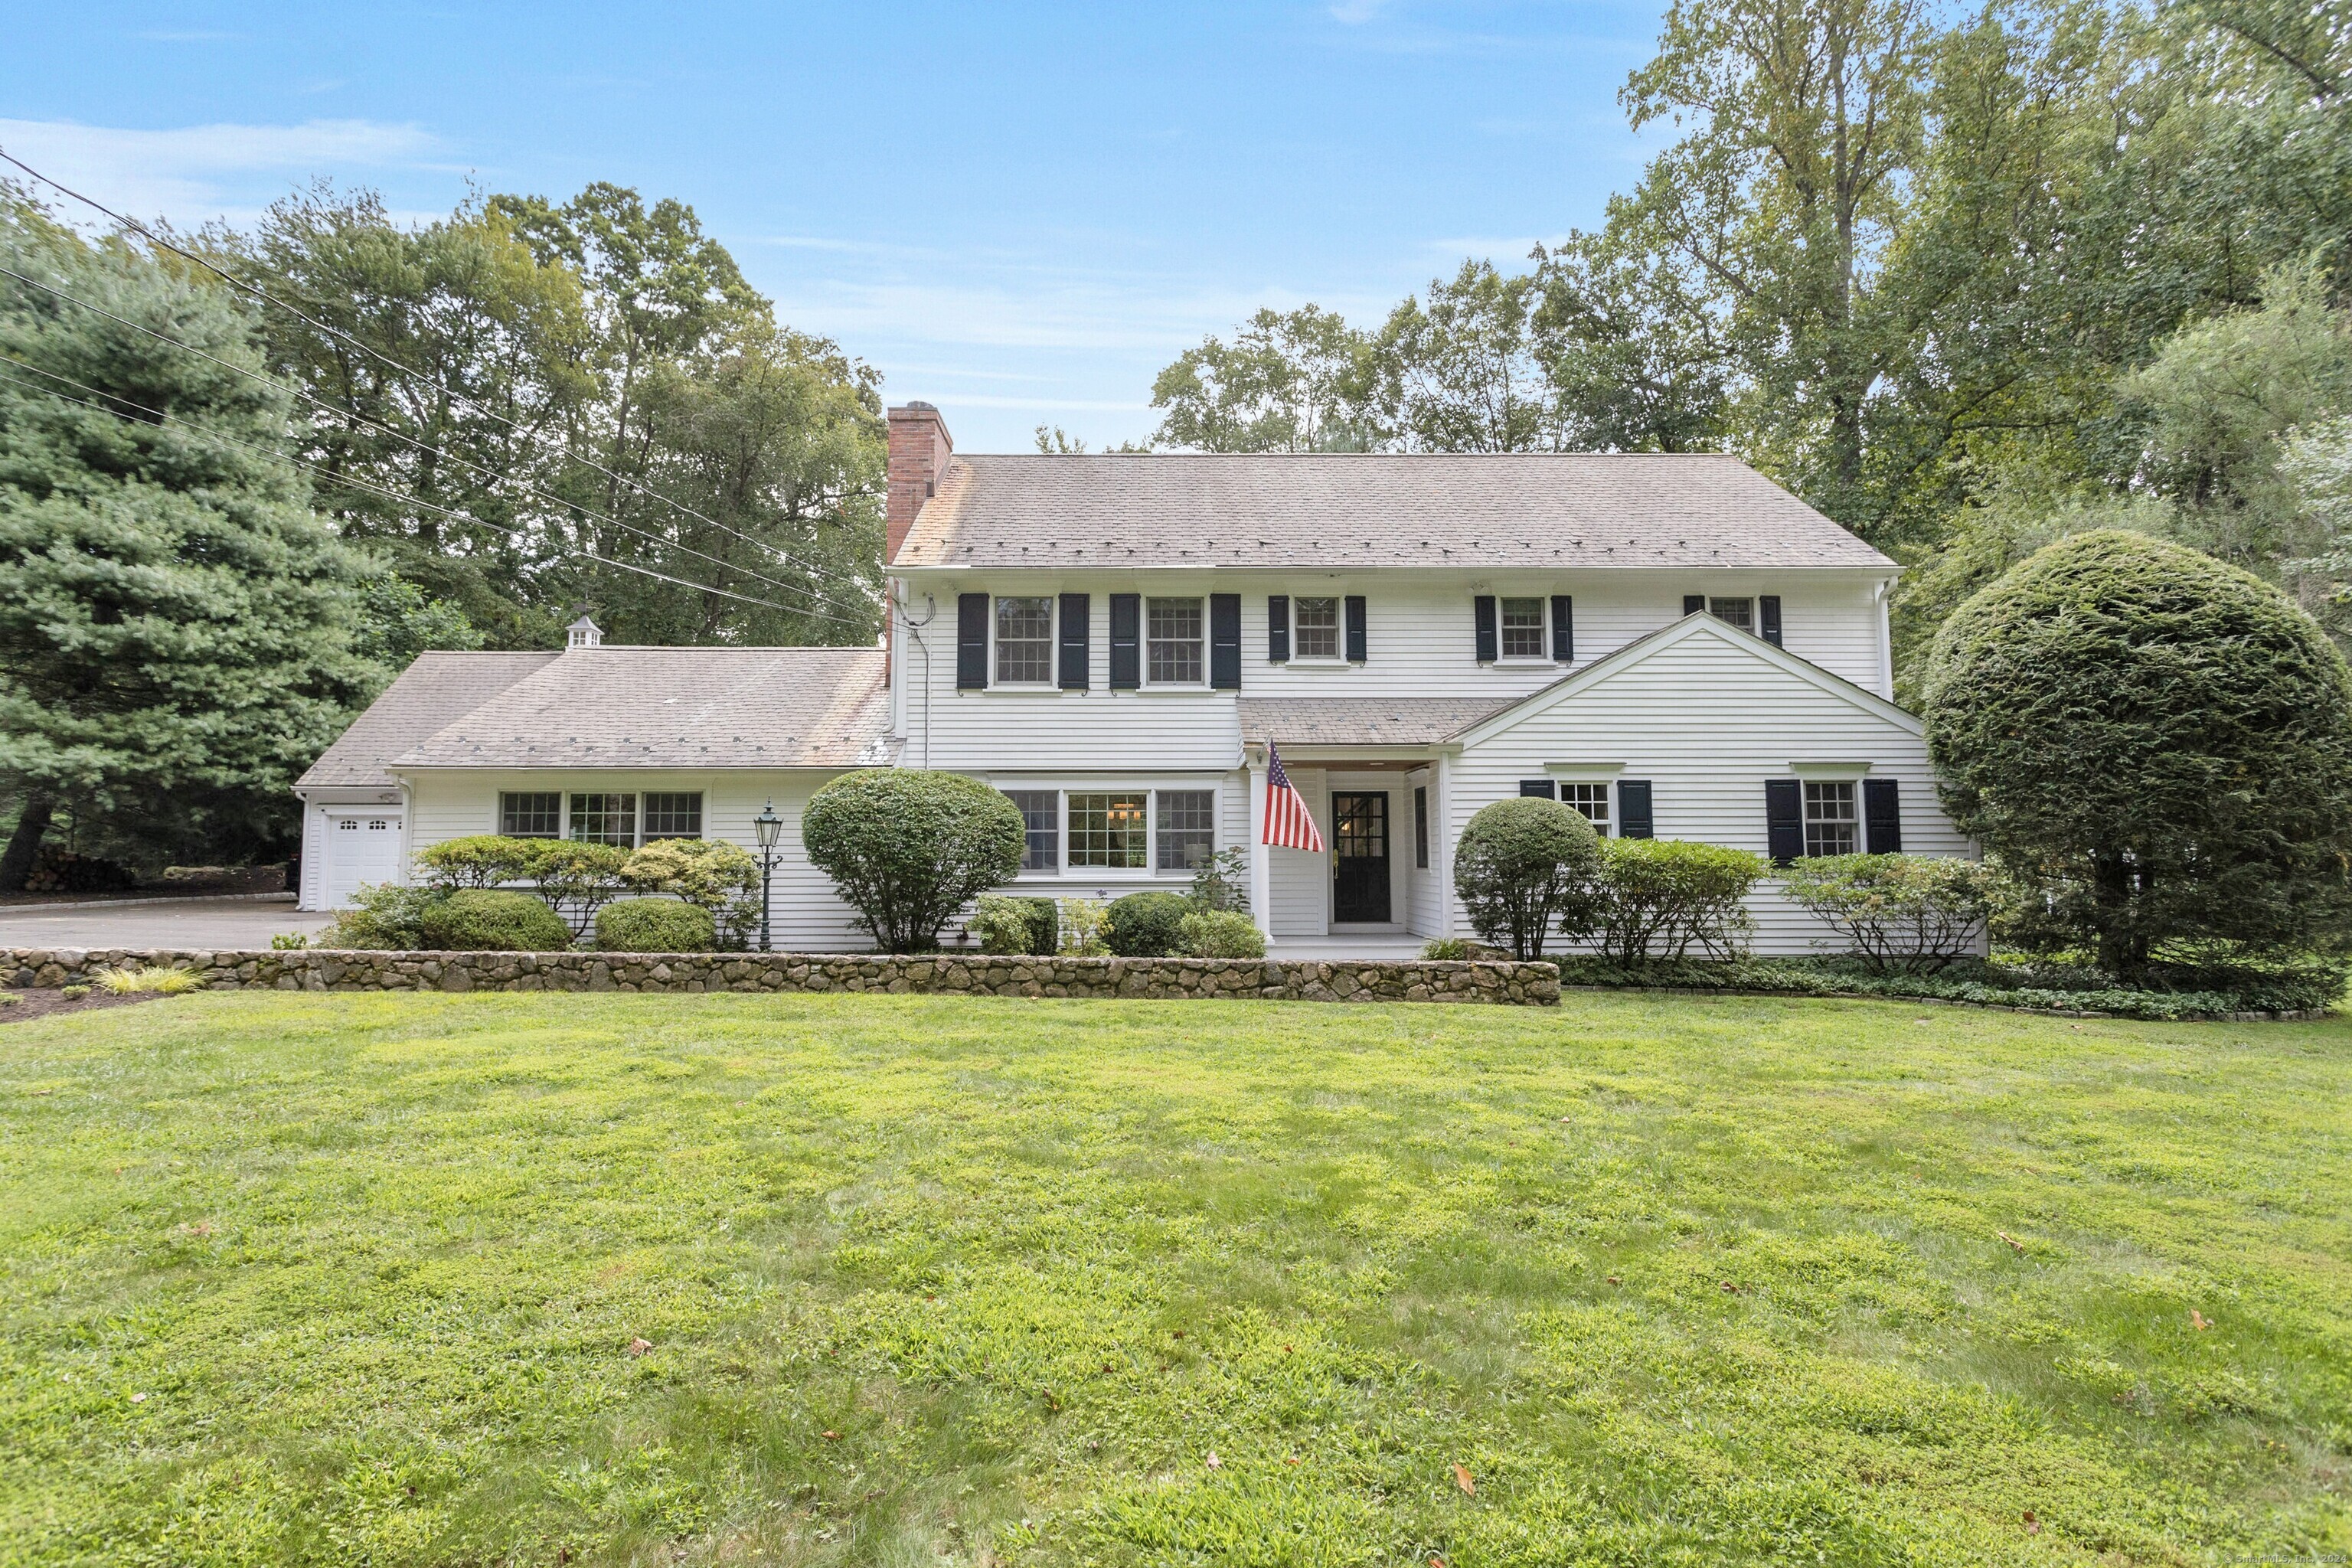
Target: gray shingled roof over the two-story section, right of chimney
{"type": "Point", "coordinates": [1478, 511]}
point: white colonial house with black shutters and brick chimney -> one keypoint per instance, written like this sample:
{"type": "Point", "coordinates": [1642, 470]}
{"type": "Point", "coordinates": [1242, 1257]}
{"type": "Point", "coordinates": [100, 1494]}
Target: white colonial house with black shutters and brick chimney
{"type": "Point", "coordinates": [1673, 645]}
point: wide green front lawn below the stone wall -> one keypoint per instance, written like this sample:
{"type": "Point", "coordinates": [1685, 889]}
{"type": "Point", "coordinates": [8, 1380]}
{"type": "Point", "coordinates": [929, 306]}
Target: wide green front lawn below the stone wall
{"type": "Point", "coordinates": [897, 1280]}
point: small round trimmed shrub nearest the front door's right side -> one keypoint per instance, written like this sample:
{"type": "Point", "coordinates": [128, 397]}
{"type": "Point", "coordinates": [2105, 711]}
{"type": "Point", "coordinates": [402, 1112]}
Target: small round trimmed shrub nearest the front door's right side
{"type": "Point", "coordinates": [1525, 869]}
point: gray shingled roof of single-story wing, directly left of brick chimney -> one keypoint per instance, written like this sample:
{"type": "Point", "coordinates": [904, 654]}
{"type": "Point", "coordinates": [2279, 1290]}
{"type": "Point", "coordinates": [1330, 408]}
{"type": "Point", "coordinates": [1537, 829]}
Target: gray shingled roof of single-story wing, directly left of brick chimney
{"type": "Point", "coordinates": [676, 709]}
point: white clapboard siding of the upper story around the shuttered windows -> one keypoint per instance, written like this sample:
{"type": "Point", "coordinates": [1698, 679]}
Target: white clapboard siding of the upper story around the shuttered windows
{"type": "Point", "coordinates": [1422, 643]}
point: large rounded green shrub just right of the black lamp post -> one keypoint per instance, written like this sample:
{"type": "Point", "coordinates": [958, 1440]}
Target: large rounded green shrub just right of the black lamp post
{"type": "Point", "coordinates": [911, 847]}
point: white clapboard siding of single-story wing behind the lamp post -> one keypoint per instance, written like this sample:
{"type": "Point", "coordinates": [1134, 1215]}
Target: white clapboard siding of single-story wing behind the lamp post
{"type": "Point", "coordinates": [806, 913]}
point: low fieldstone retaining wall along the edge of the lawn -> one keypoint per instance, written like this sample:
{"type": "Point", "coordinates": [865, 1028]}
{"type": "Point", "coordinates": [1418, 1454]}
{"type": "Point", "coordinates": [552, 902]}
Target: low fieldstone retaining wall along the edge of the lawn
{"type": "Point", "coordinates": [806, 972]}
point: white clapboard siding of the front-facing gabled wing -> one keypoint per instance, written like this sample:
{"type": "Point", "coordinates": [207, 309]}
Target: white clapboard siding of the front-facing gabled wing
{"type": "Point", "coordinates": [1709, 718]}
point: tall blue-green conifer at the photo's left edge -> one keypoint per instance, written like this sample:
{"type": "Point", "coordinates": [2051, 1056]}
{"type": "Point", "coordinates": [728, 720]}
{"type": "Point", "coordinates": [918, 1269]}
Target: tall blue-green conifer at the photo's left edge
{"type": "Point", "coordinates": [173, 617]}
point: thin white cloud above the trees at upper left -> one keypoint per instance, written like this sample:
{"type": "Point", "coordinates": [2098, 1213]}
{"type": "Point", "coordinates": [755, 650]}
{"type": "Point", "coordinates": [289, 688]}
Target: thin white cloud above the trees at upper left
{"type": "Point", "coordinates": [206, 170]}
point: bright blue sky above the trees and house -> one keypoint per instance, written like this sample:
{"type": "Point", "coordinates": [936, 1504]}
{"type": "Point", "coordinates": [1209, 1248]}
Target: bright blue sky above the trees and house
{"type": "Point", "coordinates": [1015, 213]}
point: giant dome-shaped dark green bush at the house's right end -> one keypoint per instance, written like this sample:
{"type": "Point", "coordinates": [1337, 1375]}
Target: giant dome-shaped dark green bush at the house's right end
{"type": "Point", "coordinates": [2151, 739]}
